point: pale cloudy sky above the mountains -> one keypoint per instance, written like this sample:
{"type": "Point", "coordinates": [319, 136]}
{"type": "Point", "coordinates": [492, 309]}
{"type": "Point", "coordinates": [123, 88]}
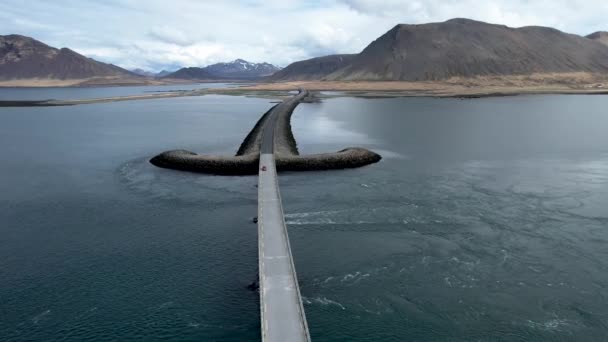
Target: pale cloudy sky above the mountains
{"type": "Point", "coordinates": [160, 34]}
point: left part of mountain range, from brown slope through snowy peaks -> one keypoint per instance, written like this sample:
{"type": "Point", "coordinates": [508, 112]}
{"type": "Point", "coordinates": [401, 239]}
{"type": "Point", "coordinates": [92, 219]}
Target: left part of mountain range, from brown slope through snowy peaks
{"type": "Point", "coordinates": [24, 58]}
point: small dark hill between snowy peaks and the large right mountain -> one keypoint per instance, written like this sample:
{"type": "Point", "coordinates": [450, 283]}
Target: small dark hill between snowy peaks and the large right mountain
{"type": "Point", "coordinates": [312, 69]}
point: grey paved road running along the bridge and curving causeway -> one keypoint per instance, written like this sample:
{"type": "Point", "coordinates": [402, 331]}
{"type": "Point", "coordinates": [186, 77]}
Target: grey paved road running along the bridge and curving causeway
{"type": "Point", "coordinates": [282, 313]}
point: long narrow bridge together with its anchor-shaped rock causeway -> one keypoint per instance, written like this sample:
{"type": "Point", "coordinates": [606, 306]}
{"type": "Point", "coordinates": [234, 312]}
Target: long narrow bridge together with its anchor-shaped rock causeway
{"type": "Point", "coordinates": [271, 146]}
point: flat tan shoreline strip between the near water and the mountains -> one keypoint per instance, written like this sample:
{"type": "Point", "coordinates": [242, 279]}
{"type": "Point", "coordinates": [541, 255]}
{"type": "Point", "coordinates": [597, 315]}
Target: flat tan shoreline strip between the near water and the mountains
{"type": "Point", "coordinates": [323, 90]}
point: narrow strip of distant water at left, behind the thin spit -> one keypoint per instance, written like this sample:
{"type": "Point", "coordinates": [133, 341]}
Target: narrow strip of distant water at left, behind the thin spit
{"type": "Point", "coordinates": [66, 93]}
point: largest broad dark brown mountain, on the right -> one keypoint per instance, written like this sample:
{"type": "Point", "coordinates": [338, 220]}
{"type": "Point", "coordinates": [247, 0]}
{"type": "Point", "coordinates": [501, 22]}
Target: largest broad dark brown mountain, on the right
{"type": "Point", "coordinates": [468, 48]}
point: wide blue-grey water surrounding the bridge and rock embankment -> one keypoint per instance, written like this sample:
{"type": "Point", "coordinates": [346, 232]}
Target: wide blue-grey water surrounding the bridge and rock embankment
{"type": "Point", "coordinates": [486, 220]}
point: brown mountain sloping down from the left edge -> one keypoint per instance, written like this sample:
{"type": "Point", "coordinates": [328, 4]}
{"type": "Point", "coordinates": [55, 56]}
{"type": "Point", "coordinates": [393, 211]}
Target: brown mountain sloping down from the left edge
{"type": "Point", "coordinates": [23, 57]}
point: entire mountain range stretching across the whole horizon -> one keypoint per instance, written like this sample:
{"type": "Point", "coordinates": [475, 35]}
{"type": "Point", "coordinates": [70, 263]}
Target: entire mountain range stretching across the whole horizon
{"type": "Point", "coordinates": [460, 48]}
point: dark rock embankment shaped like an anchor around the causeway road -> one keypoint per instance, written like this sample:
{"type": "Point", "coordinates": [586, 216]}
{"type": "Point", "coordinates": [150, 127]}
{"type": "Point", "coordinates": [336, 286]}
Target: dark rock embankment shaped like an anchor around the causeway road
{"type": "Point", "coordinates": [287, 158]}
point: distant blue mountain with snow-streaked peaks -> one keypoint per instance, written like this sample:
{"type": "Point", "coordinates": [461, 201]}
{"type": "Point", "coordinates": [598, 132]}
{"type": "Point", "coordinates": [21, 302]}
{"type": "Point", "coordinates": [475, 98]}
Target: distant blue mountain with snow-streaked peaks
{"type": "Point", "coordinates": [237, 70]}
